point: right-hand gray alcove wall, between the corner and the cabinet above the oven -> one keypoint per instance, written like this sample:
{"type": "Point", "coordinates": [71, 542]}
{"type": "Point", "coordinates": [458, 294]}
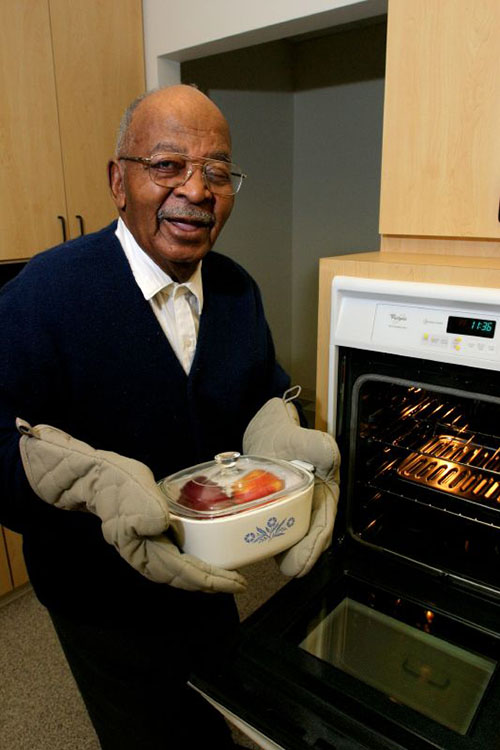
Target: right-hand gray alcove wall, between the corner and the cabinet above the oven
{"type": "Point", "coordinates": [338, 108]}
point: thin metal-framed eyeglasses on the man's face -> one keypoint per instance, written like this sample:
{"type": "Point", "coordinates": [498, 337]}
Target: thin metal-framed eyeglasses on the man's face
{"type": "Point", "coordinates": [174, 170]}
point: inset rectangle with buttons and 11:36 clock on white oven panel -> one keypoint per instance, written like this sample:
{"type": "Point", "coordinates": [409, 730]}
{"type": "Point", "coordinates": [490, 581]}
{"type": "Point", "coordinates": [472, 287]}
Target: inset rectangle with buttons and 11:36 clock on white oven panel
{"type": "Point", "coordinates": [430, 329]}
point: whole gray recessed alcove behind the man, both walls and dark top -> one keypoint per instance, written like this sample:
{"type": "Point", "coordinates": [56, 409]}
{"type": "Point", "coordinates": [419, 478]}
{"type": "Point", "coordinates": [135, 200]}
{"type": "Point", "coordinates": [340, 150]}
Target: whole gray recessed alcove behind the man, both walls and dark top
{"type": "Point", "coordinates": [306, 118]}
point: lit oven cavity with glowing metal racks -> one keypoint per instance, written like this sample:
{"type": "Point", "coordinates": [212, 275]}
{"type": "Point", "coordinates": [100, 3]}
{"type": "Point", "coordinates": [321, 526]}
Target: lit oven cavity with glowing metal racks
{"type": "Point", "coordinates": [424, 475]}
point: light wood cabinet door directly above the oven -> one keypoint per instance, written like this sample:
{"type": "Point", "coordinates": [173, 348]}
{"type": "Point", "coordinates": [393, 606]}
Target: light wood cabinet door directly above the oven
{"type": "Point", "coordinates": [441, 146]}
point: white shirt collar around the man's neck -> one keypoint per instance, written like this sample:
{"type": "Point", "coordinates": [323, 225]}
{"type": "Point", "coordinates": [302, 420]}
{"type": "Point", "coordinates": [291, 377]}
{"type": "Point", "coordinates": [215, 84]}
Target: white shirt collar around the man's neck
{"type": "Point", "coordinates": [150, 278]}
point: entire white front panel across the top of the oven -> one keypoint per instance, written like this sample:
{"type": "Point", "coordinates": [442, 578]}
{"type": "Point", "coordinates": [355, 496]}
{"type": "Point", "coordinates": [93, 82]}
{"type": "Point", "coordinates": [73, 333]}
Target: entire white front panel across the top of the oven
{"type": "Point", "coordinates": [432, 321]}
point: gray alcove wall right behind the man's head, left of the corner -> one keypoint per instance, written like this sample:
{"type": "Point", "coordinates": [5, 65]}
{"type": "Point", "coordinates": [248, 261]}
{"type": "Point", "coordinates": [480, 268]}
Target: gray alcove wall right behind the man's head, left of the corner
{"type": "Point", "coordinates": [253, 88]}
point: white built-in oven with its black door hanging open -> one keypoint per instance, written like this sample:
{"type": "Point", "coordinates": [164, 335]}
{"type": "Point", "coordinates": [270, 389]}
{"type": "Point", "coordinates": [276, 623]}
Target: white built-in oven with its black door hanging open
{"type": "Point", "coordinates": [393, 639]}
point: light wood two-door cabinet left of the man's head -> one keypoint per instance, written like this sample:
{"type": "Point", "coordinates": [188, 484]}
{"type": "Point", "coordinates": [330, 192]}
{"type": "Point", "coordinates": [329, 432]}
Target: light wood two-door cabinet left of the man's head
{"type": "Point", "coordinates": [68, 69]}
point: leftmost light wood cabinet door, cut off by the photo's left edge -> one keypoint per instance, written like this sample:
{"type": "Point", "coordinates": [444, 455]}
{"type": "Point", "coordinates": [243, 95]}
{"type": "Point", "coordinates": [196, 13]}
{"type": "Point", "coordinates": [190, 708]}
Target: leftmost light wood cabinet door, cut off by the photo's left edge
{"type": "Point", "coordinates": [31, 180]}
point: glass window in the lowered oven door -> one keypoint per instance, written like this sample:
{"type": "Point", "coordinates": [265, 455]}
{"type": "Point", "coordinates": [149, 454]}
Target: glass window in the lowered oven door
{"type": "Point", "coordinates": [439, 679]}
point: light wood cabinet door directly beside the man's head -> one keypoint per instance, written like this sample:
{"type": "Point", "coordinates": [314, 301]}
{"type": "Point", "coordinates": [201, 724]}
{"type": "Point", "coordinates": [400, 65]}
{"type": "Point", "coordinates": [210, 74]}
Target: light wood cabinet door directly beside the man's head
{"type": "Point", "coordinates": [99, 68]}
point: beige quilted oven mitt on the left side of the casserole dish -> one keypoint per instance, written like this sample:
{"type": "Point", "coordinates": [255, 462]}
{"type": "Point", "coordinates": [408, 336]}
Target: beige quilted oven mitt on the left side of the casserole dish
{"type": "Point", "coordinates": [123, 493]}
